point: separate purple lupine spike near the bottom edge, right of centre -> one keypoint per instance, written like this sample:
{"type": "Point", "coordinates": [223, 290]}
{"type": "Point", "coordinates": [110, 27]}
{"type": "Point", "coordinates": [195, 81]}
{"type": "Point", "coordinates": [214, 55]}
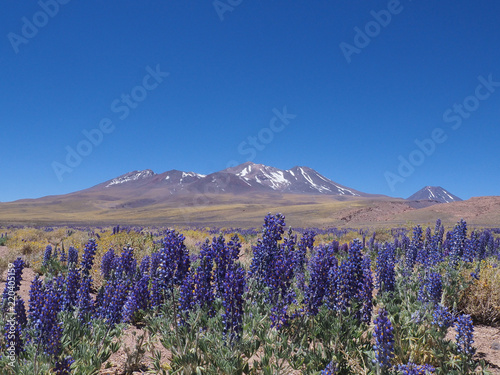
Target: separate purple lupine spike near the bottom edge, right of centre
{"type": "Point", "coordinates": [384, 340]}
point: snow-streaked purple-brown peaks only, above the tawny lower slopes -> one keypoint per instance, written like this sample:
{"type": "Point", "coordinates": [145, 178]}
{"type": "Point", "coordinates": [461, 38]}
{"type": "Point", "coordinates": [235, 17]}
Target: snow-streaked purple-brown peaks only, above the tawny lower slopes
{"type": "Point", "coordinates": [252, 178]}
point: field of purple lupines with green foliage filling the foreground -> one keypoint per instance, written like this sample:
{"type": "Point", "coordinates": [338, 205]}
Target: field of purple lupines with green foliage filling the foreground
{"type": "Point", "coordinates": [287, 304]}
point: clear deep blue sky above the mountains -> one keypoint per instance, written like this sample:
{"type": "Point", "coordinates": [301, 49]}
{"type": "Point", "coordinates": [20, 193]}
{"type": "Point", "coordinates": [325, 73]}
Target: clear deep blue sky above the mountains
{"type": "Point", "coordinates": [353, 120]}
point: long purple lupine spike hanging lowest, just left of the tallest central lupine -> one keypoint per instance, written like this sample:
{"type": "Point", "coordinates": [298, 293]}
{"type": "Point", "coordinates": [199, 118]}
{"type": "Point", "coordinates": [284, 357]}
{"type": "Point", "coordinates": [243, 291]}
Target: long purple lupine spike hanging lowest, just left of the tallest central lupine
{"type": "Point", "coordinates": [232, 300]}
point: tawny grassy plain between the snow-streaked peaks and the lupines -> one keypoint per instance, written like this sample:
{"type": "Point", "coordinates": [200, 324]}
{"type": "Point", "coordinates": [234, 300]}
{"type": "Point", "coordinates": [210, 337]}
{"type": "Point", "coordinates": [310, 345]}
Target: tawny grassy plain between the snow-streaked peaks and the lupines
{"type": "Point", "coordinates": [185, 210]}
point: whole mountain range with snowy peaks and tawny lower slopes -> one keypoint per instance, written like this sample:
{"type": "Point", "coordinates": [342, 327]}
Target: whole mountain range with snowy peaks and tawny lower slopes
{"type": "Point", "coordinates": [241, 196]}
